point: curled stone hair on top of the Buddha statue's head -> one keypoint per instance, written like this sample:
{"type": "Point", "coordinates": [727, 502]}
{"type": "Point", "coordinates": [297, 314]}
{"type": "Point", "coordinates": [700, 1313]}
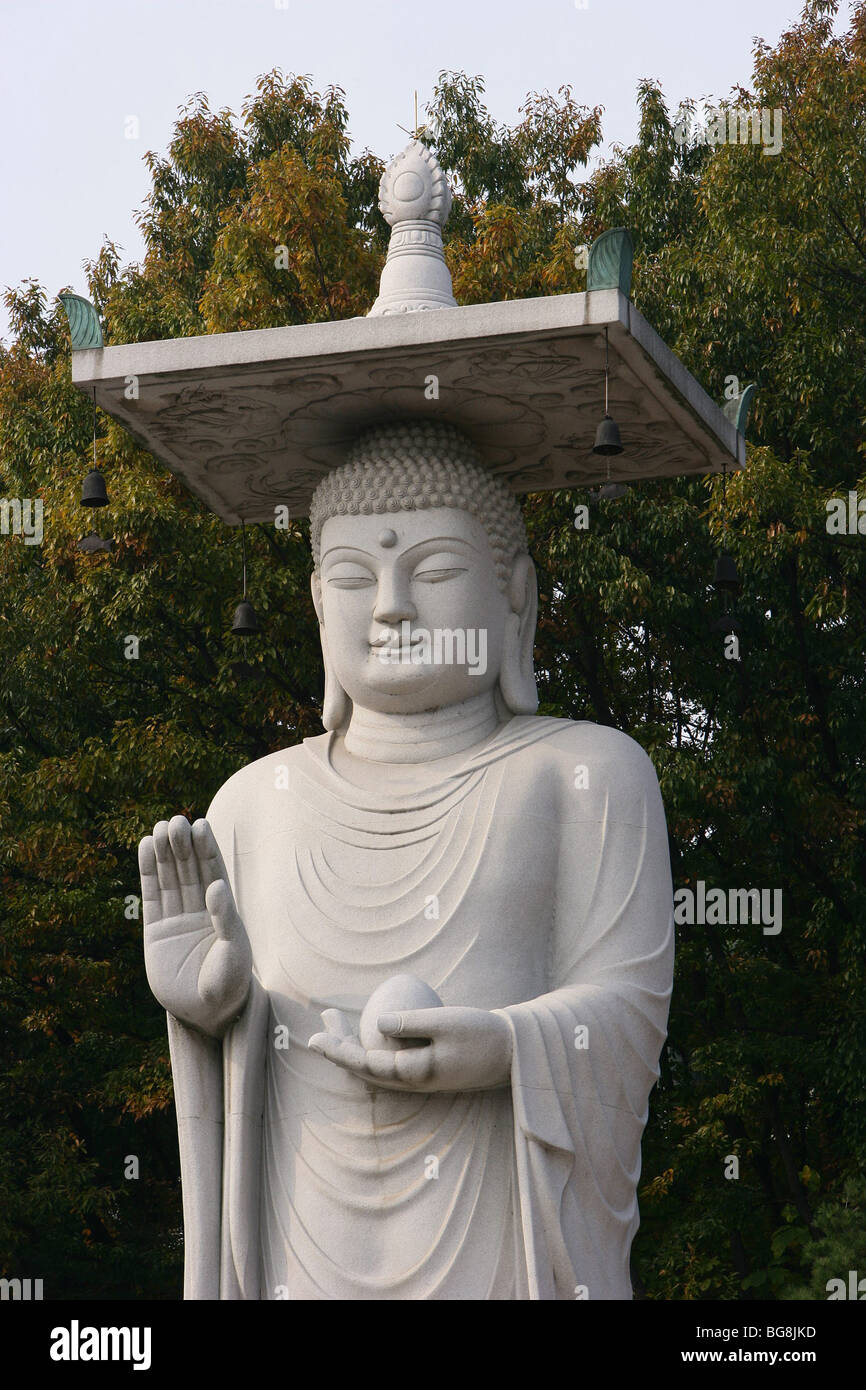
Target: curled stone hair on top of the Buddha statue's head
{"type": "Point", "coordinates": [404, 468]}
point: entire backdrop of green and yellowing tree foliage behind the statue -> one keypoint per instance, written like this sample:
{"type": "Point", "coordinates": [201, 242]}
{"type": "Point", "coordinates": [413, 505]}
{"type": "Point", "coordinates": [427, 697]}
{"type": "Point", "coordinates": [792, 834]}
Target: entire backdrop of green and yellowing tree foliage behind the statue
{"type": "Point", "coordinates": [749, 266]}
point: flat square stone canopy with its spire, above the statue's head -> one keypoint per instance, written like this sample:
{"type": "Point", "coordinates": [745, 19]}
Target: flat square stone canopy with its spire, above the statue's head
{"type": "Point", "coordinates": [254, 420]}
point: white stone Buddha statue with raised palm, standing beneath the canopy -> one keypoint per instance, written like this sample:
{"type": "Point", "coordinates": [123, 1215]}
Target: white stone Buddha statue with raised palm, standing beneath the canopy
{"type": "Point", "coordinates": [418, 970]}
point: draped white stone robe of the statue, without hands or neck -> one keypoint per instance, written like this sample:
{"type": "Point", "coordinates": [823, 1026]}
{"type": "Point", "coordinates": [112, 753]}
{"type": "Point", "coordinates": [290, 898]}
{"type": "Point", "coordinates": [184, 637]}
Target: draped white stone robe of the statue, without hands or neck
{"type": "Point", "coordinates": [533, 881]}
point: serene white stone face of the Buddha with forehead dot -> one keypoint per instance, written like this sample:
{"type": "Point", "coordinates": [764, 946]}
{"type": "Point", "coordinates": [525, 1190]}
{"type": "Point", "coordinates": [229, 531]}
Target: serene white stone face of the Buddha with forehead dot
{"type": "Point", "coordinates": [412, 610]}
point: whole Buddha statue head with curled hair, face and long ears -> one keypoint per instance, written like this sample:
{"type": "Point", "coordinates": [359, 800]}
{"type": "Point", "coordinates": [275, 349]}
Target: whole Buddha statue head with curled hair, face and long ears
{"type": "Point", "coordinates": [423, 584]}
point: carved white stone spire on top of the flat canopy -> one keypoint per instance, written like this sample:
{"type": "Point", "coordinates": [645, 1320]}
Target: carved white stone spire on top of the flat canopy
{"type": "Point", "coordinates": [415, 201]}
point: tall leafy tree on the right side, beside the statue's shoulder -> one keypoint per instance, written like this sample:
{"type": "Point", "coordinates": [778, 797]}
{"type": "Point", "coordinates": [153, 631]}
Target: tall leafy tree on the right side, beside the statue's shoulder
{"type": "Point", "coordinates": [751, 266]}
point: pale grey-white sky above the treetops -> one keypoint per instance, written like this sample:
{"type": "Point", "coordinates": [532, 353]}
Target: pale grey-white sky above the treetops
{"type": "Point", "coordinates": [74, 72]}
